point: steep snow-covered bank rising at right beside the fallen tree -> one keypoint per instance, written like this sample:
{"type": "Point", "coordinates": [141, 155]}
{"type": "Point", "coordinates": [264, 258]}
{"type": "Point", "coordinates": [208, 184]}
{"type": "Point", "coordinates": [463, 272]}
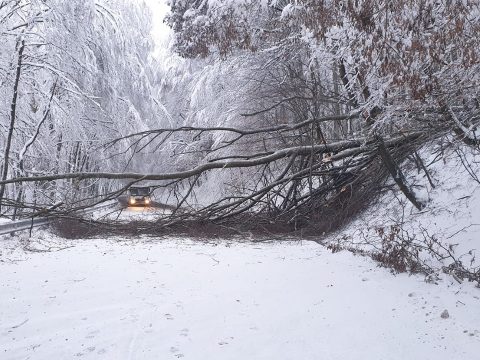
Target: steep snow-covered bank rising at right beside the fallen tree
{"type": "Point", "coordinates": [451, 215]}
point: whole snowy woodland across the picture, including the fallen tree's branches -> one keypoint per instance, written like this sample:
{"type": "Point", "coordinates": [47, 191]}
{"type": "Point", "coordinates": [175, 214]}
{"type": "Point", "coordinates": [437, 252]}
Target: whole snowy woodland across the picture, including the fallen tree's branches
{"type": "Point", "coordinates": [284, 114]}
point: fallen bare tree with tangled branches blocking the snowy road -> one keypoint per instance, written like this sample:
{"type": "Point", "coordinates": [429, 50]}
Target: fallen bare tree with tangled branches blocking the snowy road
{"type": "Point", "coordinates": [296, 186]}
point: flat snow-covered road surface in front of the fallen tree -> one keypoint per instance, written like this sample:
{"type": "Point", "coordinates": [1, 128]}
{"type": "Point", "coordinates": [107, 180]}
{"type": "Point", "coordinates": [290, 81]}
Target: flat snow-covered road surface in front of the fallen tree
{"type": "Point", "coordinates": [173, 299]}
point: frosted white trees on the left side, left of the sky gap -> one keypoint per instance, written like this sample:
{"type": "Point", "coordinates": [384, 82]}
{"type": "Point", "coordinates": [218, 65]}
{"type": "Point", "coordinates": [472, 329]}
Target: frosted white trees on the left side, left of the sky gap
{"type": "Point", "coordinates": [74, 75]}
